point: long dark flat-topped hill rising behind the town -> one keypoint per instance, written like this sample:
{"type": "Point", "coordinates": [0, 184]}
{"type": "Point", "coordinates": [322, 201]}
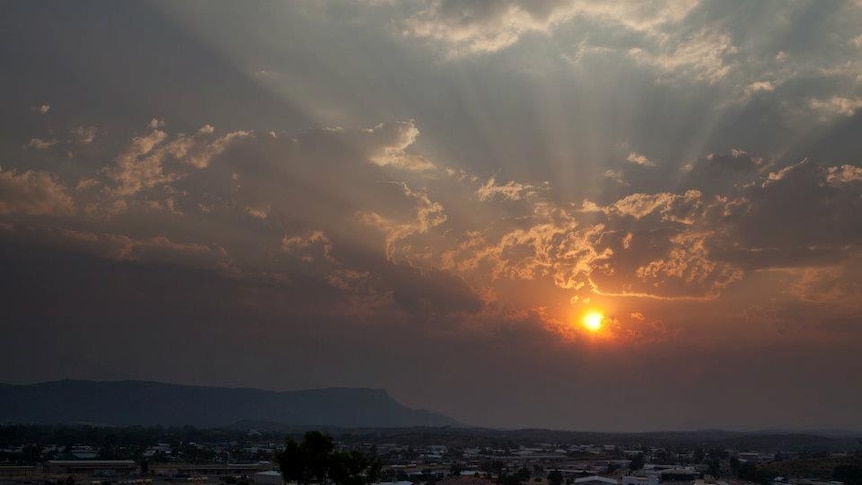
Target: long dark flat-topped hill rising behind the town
{"type": "Point", "coordinates": [125, 403]}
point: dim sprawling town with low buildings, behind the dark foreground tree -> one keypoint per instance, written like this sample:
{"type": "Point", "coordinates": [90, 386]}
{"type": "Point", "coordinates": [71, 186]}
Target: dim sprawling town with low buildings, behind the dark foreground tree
{"type": "Point", "coordinates": [88, 455]}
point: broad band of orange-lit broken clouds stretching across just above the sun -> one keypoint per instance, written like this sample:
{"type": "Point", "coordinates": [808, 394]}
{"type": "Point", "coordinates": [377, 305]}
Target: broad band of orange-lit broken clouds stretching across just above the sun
{"type": "Point", "coordinates": [691, 243]}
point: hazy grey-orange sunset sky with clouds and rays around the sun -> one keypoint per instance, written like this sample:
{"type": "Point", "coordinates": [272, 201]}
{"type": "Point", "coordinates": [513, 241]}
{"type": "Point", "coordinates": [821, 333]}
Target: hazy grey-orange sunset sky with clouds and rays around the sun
{"type": "Point", "coordinates": [428, 197]}
